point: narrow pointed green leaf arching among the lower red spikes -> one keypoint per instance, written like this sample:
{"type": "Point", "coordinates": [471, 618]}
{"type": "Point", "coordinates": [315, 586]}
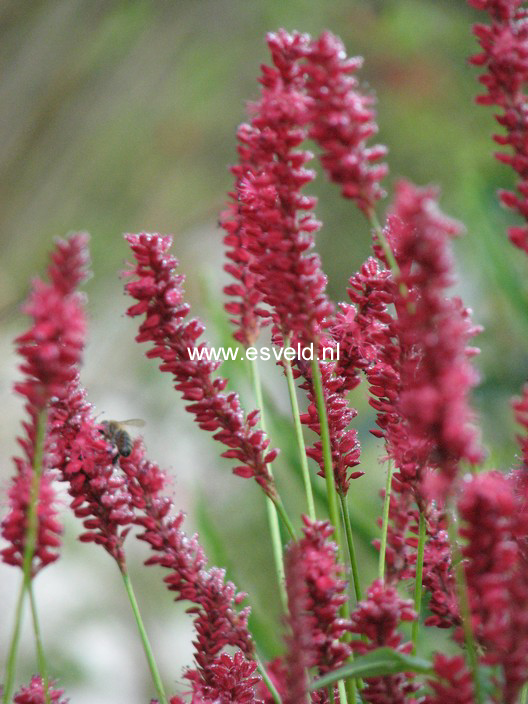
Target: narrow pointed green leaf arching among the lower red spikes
{"type": "Point", "coordinates": [379, 662]}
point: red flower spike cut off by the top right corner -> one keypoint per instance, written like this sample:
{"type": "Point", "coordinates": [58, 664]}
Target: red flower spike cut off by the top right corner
{"type": "Point", "coordinates": [504, 59]}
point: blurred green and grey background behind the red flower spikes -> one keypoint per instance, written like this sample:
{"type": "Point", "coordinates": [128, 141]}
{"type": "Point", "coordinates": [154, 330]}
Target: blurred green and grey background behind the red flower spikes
{"type": "Point", "coordinates": [121, 116]}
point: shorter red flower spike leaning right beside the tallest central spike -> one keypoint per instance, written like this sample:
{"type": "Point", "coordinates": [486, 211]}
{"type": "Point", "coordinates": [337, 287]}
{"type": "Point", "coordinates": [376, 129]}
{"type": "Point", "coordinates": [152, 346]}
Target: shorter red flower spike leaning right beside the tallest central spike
{"type": "Point", "coordinates": [343, 121]}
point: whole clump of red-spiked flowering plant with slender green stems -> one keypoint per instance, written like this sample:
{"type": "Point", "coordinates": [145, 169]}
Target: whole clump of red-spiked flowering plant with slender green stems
{"type": "Point", "coordinates": [452, 534]}
